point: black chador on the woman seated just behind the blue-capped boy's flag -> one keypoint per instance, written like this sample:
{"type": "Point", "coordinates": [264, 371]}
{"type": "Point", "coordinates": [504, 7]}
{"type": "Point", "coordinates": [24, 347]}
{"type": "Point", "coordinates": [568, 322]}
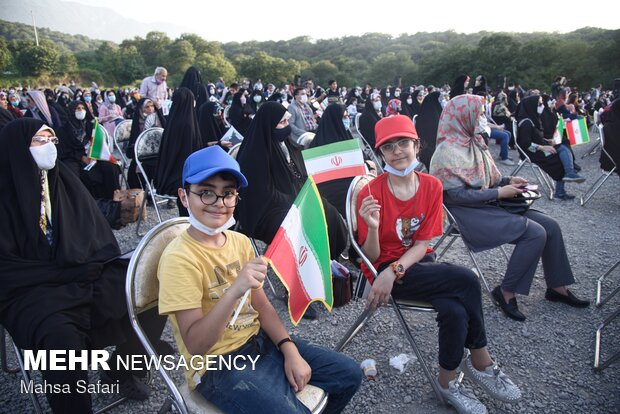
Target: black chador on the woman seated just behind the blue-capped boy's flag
{"type": "Point", "coordinates": [272, 184]}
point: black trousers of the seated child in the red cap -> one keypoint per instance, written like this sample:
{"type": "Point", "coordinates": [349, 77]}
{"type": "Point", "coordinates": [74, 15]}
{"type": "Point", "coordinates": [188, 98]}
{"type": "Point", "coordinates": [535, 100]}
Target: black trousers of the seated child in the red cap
{"type": "Point", "coordinates": [454, 292]}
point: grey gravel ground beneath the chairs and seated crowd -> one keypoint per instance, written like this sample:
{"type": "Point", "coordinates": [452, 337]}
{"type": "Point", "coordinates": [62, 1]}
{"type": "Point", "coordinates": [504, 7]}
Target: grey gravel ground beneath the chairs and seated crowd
{"type": "Point", "coordinates": [549, 356]}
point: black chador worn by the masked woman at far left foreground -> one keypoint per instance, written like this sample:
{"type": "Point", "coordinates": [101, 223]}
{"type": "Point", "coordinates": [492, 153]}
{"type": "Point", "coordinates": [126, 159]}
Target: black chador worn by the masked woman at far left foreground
{"type": "Point", "coordinates": [39, 279]}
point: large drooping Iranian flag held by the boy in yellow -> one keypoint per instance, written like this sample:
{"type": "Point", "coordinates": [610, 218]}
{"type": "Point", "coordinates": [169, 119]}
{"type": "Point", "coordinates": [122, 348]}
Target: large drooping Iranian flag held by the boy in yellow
{"type": "Point", "coordinates": [299, 253]}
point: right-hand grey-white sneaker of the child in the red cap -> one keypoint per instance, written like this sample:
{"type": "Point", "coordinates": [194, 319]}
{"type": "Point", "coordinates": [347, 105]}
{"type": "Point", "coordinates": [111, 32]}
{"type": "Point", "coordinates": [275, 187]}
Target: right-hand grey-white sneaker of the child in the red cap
{"type": "Point", "coordinates": [493, 381]}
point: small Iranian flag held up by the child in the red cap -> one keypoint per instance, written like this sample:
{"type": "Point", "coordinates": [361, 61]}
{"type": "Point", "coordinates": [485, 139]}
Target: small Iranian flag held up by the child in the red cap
{"type": "Point", "coordinates": [338, 160]}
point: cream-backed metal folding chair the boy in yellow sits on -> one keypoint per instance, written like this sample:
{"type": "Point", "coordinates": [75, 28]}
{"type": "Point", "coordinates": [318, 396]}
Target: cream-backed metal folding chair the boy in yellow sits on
{"type": "Point", "coordinates": [142, 293]}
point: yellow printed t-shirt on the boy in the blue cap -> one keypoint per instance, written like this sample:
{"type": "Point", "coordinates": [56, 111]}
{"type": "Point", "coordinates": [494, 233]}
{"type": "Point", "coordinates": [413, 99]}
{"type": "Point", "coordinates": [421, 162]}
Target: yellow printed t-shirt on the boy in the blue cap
{"type": "Point", "coordinates": [192, 275]}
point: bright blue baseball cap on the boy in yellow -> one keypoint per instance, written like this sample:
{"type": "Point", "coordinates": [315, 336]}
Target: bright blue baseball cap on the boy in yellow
{"type": "Point", "coordinates": [209, 161]}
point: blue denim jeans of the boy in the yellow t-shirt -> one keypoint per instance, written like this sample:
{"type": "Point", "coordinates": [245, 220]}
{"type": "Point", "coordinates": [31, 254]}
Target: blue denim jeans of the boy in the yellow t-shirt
{"type": "Point", "coordinates": [267, 390]}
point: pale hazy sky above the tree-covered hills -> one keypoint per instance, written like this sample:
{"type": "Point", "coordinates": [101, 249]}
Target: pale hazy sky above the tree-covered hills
{"type": "Point", "coordinates": [320, 19]}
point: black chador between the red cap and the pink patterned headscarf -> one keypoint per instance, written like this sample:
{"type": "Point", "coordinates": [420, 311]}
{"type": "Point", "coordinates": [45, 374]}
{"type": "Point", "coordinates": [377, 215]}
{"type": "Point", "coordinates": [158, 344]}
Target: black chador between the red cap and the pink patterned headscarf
{"type": "Point", "coordinates": [426, 124]}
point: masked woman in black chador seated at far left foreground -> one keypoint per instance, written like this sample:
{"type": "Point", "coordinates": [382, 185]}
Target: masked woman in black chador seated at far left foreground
{"type": "Point", "coordinates": [63, 285]}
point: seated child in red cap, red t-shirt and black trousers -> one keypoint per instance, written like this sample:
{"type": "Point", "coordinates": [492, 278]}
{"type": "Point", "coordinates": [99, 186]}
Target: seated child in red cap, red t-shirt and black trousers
{"type": "Point", "coordinates": [400, 212]}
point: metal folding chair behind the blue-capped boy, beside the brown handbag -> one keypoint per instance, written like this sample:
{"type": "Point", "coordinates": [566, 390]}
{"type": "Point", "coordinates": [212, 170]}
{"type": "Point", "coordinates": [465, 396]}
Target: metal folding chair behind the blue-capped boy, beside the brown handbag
{"type": "Point", "coordinates": [147, 145]}
